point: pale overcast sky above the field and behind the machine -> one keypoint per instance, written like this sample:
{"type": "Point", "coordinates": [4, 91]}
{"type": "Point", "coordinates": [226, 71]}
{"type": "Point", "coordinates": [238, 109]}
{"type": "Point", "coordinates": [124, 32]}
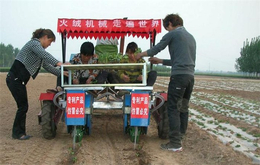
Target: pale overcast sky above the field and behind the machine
{"type": "Point", "coordinates": [219, 26]}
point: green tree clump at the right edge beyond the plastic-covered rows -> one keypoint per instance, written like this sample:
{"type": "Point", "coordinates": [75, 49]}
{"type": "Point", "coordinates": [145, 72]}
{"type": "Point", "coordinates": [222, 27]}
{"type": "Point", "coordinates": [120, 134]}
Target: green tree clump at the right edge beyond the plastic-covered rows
{"type": "Point", "coordinates": [249, 61]}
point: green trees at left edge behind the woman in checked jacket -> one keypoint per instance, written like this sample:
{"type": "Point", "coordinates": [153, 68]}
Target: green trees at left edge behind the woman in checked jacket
{"type": "Point", "coordinates": [7, 55]}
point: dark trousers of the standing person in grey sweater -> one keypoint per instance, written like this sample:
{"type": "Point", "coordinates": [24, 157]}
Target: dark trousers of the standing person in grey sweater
{"type": "Point", "coordinates": [179, 93]}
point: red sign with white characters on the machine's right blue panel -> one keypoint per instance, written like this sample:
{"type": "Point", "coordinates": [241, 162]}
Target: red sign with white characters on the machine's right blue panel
{"type": "Point", "coordinates": [140, 105]}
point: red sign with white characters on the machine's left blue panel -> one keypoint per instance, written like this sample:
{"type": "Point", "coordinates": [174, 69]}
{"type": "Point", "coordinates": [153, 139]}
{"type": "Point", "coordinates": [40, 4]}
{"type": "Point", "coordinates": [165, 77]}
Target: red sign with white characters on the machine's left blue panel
{"type": "Point", "coordinates": [75, 105]}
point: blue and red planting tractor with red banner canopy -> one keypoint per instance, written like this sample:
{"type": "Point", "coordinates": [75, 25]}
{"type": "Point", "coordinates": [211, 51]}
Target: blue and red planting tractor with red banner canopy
{"type": "Point", "coordinates": [76, 103]}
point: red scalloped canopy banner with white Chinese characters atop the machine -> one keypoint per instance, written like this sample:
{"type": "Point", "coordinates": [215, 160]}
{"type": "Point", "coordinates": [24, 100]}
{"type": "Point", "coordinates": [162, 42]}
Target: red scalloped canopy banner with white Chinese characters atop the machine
{"type": "Point", "coordinates": [115, 27]}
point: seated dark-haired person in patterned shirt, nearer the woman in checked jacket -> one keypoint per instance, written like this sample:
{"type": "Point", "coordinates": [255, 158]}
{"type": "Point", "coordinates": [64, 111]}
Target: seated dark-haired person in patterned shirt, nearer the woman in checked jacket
{"type": "Point", "coordinates": [87, 56]}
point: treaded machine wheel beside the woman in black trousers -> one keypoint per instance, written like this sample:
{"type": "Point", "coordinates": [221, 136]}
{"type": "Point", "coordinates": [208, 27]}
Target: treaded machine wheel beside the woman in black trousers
{"type": "Point", "coordinates": [47, 120]}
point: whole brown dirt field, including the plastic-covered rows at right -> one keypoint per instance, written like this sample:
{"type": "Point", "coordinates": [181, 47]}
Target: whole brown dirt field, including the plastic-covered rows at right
{"type": "Point", "coordinates": [108, 145]}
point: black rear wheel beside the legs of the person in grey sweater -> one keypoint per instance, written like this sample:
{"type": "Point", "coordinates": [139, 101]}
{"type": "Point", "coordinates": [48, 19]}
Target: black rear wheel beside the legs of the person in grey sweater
{"type": "Point", "coordinates": [163, 125]}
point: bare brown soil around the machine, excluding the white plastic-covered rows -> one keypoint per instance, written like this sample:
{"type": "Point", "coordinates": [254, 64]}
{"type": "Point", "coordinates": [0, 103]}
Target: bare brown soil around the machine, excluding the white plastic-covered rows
{"type": "Point", "coordinates": [107, 144]}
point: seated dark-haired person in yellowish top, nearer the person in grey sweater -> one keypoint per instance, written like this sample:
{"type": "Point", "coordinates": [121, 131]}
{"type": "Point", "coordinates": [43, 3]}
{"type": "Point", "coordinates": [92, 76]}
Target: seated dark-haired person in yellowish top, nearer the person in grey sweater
{"type": "Point", "coordinates": [134, 75]}
